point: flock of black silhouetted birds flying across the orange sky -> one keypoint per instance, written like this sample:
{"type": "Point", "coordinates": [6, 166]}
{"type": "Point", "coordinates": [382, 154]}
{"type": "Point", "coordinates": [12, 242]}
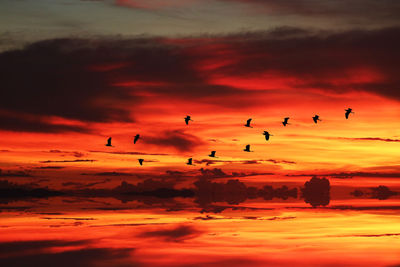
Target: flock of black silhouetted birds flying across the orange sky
{"type": "Point", "coordinates": [285, 122]}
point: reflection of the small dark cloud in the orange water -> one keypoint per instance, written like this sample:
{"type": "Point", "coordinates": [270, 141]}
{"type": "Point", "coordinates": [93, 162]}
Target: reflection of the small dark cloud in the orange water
{"type": "Point", "coordinates": [176, 234]}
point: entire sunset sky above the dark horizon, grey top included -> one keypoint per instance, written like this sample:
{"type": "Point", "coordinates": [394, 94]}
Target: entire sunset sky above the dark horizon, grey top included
{"type": "Point", "coordinates": [77, 72]}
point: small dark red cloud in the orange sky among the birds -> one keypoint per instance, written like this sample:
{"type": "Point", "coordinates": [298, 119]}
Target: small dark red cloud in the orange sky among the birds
{"type": "Point", "coordinates": [177, 139]}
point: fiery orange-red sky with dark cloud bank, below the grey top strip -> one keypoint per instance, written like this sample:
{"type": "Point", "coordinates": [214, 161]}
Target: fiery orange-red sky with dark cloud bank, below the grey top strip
{"type": "Point", "coordinates": [66, 113]}
